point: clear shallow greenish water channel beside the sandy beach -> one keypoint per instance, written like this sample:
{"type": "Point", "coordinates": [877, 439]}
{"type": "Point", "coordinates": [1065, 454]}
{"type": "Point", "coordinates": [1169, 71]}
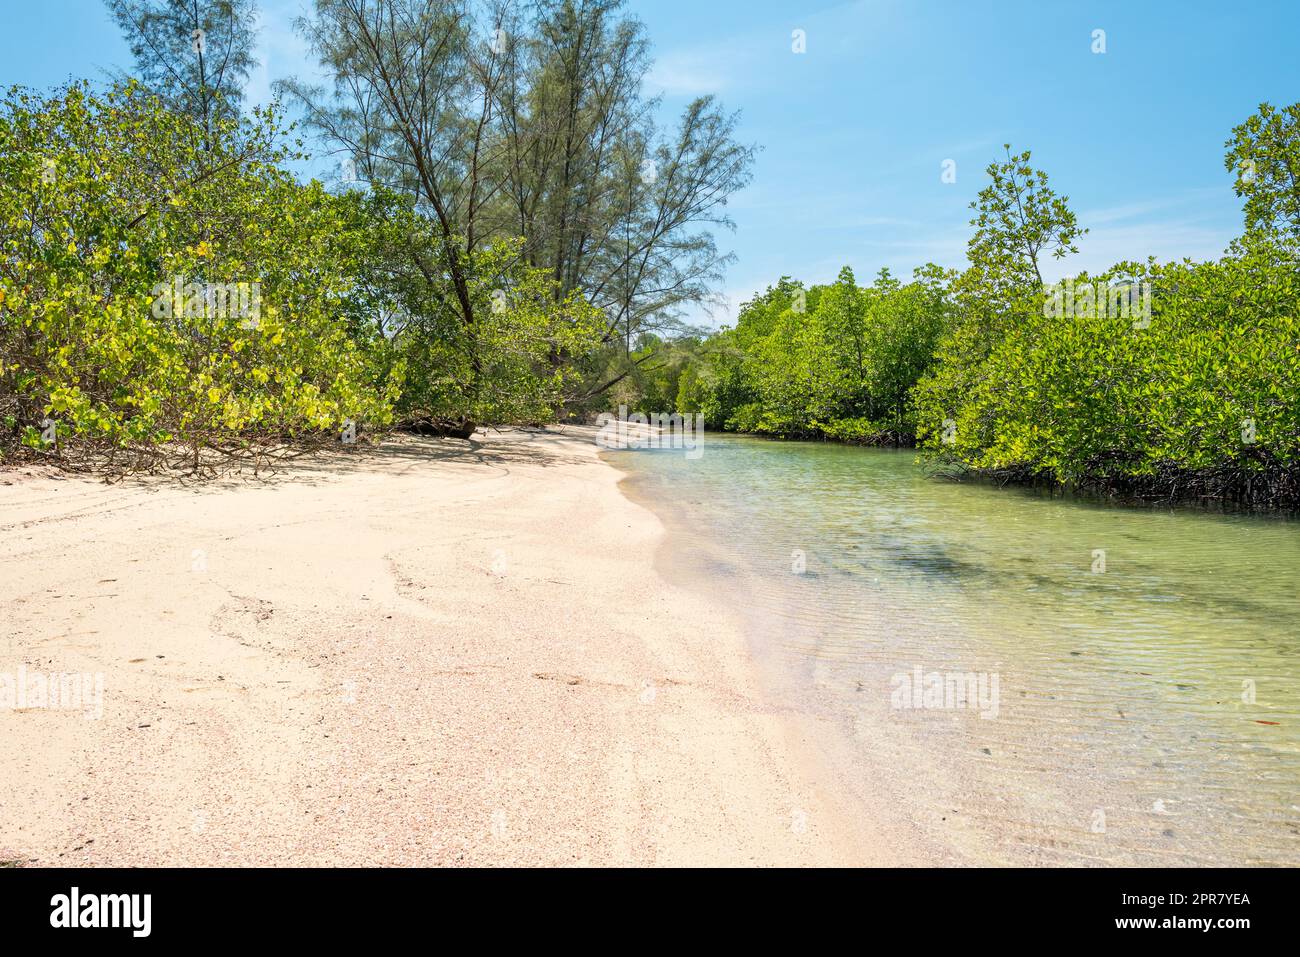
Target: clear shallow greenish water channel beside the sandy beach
{"type": "Point", "coordinates": [1147, 661]}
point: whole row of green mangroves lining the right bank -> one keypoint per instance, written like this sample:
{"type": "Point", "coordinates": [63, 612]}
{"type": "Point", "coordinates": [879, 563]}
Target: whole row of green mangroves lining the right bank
{"type": "Point", "coordinates": [1190, 391]}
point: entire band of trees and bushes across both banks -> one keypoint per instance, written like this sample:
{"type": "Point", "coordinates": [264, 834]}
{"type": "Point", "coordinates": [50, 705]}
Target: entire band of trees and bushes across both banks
{"type": "Point", "coordinates": [513, 240]}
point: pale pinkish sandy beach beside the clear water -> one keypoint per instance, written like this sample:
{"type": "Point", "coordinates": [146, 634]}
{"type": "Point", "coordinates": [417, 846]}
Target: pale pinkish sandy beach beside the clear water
{"type": "Point", "coordinates": [431, 653]}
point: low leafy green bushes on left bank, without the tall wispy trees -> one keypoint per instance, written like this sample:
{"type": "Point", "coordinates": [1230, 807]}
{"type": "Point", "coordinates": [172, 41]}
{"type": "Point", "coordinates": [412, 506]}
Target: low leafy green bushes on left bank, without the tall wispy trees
{"type": "Point", "coordinates": [168, 291]}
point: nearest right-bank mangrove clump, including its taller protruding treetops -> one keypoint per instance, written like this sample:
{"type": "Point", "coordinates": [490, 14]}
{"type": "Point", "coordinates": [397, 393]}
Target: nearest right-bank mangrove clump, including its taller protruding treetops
{"type": "Point", "coordinates": [1168, 380]}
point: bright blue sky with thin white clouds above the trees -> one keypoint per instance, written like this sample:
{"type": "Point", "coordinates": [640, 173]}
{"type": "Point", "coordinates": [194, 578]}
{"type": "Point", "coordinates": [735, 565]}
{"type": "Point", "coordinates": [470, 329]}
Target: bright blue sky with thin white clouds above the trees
{"type": "Point", "coordinates": [856, 131]}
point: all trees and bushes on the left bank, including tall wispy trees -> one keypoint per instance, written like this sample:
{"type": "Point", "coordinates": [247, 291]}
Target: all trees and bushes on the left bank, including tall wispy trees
{"type": "Point", "coordinates": [508, 220]}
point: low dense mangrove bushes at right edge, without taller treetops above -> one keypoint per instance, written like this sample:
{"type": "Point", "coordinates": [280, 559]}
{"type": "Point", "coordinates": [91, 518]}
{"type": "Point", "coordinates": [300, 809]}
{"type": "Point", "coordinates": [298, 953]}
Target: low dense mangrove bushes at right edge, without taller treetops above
{"type": "Point", "coordinates": [1199, 397]}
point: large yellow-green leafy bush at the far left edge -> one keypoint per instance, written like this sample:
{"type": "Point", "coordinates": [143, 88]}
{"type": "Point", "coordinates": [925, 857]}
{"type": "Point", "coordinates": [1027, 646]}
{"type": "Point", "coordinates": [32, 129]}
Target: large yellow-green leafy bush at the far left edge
{"type": "Point", "coordinates": [159, 288]}
